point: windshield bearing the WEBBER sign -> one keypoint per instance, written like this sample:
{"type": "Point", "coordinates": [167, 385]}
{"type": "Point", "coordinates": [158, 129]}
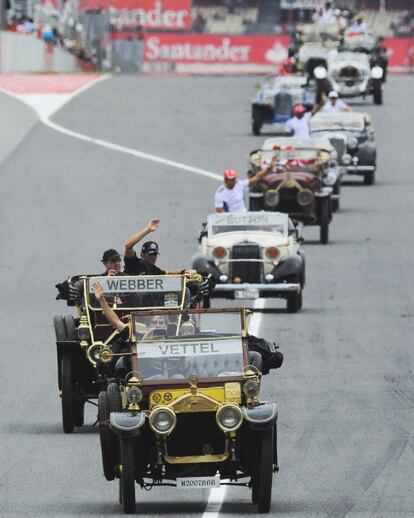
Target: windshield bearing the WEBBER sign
{"type": "Point", "coordinates": [142, 291]}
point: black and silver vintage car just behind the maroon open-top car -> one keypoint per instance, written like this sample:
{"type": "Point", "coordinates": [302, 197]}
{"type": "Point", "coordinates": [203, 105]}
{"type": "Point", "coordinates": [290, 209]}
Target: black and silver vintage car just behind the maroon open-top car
{"type": "Point", "coordinates": [352, 136]}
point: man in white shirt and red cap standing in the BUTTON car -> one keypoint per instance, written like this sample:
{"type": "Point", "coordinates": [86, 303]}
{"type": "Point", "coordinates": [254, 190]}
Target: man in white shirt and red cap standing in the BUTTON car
{"type": "Point", "coordinates": [229, 197]}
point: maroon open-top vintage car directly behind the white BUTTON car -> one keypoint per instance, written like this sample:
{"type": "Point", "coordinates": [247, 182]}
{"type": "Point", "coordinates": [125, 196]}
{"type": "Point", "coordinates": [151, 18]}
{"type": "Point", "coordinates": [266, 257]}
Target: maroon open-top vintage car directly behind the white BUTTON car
{"type": "Point", "coordinates": [297, 182]}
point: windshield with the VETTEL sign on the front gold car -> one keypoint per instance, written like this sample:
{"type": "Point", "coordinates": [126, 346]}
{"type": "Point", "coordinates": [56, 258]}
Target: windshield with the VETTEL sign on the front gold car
{"type": "Point", "coordinates": [180, 344]}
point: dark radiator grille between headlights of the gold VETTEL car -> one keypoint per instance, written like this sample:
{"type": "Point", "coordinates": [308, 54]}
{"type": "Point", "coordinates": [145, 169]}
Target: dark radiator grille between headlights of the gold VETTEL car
{"type": "Point", "coordinates": [196, 433]}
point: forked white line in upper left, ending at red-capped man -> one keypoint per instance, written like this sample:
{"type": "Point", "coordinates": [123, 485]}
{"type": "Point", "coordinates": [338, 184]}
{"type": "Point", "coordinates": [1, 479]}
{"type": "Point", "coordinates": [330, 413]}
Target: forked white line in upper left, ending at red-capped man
{"type": "Point", "coordinates": [45, 105]}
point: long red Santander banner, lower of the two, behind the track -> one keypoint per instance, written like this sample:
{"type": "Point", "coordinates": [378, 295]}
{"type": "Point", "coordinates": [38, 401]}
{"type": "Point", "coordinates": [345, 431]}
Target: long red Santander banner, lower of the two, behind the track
{"type": "Point", "coordinates": [214, 49]}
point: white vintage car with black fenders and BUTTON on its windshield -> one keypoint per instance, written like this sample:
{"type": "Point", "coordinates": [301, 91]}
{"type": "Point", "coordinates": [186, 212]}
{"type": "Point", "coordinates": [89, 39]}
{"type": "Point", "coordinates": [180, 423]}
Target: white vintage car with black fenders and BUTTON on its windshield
{"type": "Point", "coordinates": [251, 255]}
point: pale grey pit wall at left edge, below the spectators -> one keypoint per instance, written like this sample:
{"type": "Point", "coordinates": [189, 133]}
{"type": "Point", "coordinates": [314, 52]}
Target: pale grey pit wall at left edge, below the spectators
{"type": "Point", "coordinates": [20, 53]}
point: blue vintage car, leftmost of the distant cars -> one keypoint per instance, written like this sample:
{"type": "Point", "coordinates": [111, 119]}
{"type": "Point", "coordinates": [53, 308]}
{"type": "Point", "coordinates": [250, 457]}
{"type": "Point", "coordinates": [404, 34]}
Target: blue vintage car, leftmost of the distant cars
{"type": "Point", "coordinates": [273, 102]}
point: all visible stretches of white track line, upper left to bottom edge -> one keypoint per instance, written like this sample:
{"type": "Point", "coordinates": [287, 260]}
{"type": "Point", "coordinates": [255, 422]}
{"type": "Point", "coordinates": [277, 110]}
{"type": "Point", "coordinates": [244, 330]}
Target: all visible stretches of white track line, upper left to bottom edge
{"type": "Point", "coordinates": [44, 112]}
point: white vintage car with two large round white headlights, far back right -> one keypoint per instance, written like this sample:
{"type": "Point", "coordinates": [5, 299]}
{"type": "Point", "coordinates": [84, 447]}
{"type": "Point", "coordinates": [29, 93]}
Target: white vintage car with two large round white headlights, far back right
{"type": "Point", "coordinates": [351, 75]}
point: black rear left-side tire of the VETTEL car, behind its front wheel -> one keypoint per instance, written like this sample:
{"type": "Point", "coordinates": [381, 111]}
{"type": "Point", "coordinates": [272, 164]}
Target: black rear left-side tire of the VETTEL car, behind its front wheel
{"type": "Point", "coordinates": [107, 438]}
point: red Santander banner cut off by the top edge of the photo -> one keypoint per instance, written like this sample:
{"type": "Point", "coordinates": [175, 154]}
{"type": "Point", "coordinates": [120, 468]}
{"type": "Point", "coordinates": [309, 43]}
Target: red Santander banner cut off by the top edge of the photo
{"type": "Point", "coordinates": [150, 14]}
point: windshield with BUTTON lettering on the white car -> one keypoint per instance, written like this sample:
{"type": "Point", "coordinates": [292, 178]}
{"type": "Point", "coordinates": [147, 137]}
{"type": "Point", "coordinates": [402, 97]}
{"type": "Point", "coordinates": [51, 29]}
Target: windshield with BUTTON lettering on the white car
{"type": "Point", "coordinates": [273, 223]}
